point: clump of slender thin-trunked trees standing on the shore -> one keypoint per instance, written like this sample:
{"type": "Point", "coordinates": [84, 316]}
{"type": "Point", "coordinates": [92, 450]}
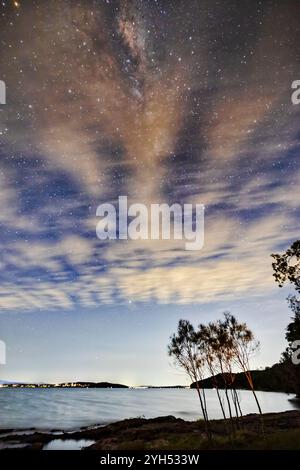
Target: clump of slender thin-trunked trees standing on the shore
{"type": "Point", "coordinates": [217, 348]}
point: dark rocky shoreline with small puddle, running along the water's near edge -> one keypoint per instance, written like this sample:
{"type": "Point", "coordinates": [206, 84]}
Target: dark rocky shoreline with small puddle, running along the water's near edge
{"type": "Point", "coordinates": [164, 433]}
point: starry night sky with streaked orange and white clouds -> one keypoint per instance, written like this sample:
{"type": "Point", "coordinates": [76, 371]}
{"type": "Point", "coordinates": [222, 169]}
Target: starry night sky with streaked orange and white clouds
{"type": "Point", "coordinates": [162, 101]}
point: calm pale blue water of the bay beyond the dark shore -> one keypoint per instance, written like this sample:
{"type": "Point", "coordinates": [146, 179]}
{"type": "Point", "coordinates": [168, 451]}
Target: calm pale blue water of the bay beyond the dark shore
{"type": "Point", "coordinates": [73, 408]}
